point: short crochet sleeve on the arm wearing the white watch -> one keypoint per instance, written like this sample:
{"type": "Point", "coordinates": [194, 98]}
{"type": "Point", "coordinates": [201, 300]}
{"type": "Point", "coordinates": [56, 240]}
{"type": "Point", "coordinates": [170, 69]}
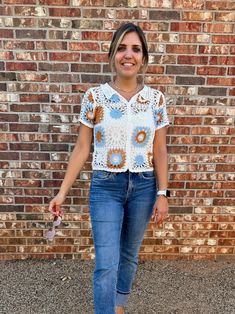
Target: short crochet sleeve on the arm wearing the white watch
{"type": "Point", "coordinates": [160, 112]}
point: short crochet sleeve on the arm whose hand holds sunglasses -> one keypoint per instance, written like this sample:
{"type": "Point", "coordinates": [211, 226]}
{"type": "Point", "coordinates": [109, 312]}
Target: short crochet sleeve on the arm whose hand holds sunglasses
{"type": "Point", "coordinates": [87, 109]}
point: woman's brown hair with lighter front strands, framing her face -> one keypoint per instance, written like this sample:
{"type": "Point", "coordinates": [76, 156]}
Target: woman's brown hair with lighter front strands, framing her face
{"type": "Point", "coordinates": [117, 38]}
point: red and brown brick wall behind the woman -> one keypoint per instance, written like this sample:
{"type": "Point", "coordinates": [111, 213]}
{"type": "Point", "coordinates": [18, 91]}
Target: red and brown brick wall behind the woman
{"type": "Point", "coordinates": [50, 53]}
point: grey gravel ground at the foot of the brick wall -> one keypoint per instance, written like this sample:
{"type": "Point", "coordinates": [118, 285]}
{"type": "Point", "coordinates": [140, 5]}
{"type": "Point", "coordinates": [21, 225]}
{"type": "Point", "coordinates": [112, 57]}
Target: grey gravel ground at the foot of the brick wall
{"type": "Point", "coordinates": [161, 287]}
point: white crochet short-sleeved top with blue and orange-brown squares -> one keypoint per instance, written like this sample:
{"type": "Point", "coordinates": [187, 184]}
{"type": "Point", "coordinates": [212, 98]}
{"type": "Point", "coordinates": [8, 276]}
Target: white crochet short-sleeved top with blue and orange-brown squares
{"type": "Point", "coordinates": [123, 130]}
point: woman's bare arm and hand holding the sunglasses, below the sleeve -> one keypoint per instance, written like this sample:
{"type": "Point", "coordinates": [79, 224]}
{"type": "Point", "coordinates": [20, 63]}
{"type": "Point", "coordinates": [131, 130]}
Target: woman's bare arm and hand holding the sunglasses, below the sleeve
{"type": "Point", "coordinates": [77, 160]}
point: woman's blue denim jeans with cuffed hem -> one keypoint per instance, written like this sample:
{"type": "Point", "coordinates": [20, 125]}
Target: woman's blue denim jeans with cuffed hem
{"type": "Point", "coordinates": [121, 206]}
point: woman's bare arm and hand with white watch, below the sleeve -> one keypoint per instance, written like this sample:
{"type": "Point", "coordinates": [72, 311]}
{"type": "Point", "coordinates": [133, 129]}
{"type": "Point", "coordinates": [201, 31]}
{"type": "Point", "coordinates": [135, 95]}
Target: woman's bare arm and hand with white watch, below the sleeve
{"type": "Point", "coordinates": [161, 167]}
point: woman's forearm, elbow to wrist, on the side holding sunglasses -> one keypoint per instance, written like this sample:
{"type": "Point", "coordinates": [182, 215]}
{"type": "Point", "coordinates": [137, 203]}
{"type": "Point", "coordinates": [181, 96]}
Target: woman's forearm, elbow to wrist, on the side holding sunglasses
{"type": "Point", "coordinates": [76, 161]}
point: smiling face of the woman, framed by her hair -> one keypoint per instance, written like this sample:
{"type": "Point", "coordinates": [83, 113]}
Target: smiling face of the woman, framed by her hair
{"type": "Point", "coordinates": [129, 56]}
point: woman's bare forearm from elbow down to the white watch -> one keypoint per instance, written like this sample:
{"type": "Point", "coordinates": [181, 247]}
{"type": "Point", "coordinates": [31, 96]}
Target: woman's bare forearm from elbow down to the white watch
{"type": "Point", "coordinates": [161, 167]}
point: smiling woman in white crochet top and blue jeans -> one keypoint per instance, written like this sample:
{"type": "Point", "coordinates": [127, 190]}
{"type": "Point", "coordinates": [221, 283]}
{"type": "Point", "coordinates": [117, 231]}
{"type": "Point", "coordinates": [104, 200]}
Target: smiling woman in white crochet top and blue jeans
{"type": "Point", "coordinates": [128, 123]}
